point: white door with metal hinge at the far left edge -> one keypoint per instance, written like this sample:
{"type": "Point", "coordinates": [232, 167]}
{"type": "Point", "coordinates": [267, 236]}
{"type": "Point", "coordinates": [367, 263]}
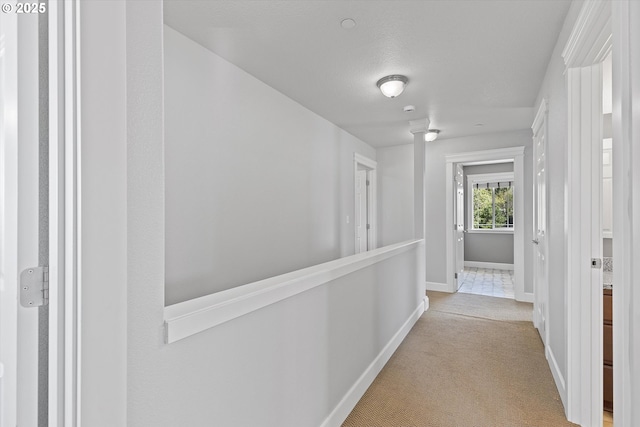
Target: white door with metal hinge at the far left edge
{"type": "Point", "coordinates": [20, 233]}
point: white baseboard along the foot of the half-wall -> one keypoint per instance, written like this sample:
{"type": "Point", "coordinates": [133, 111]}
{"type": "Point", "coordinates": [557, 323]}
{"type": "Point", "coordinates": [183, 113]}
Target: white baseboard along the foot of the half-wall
{"type": "Point", "coordinates": [355, 393]}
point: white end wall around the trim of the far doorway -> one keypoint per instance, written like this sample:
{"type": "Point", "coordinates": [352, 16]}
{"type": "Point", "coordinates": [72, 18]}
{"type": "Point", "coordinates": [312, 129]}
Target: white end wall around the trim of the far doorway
{"type": "Point", "coordinates": [435, 232]}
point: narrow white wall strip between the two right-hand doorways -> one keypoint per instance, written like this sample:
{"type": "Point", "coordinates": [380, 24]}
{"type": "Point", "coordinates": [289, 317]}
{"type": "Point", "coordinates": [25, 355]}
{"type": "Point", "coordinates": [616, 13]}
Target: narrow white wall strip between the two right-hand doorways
{"type": "Point", "coordinates": [554, 90]}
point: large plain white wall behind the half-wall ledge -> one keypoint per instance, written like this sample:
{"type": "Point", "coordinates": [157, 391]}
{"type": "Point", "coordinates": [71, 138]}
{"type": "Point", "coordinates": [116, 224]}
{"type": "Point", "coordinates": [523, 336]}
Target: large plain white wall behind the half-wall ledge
{"type": "Point", "coordinates": [256, 184]}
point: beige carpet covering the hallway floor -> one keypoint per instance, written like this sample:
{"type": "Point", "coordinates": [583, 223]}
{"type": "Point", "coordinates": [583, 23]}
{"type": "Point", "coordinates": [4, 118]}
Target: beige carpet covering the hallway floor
{"type": "Point", "coordinates": [470, 361]}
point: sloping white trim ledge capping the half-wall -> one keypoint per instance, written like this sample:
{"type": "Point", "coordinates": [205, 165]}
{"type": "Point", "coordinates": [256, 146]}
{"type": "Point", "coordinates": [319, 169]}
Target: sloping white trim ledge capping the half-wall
{"type": "Point", "coordinates": [193, 316]}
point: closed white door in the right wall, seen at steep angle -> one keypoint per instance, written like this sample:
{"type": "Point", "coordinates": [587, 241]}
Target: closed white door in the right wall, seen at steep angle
{"type": "Point", "coordinates": [540, 278]}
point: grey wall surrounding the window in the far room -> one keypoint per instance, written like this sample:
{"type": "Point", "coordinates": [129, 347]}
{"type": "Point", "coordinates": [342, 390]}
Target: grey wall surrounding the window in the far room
{"type": "Point", "coordinates": [486, 247]}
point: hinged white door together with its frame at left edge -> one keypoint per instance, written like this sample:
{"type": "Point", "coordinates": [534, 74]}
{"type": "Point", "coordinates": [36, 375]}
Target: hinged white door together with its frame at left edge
{"type": "Point", "coordinates": [39, 143]}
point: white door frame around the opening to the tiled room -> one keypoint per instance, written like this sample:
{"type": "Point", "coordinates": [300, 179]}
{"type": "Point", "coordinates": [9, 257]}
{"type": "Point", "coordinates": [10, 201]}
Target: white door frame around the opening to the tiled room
{"type": "Point", "coordinates": [510, 154]}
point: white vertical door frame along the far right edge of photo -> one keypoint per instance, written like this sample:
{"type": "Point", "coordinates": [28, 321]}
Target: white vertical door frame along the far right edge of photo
{"type": "Point", "coordinates": [626, 201]}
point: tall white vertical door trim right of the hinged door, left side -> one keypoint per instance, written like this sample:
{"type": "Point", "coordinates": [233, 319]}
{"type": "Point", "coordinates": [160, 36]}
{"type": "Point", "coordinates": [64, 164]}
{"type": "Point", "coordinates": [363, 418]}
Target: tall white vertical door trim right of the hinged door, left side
{"type": "Point", "coordinates": [64, 210]}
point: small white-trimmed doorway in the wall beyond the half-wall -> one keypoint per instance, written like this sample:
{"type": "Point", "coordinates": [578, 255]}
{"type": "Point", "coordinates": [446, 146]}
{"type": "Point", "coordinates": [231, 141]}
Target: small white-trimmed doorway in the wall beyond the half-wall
{"type": "Point", "coordinates": [364, 214]}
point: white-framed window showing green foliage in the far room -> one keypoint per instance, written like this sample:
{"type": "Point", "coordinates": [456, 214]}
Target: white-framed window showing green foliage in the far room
{"type": "Point", "coordinates": [491, 201]}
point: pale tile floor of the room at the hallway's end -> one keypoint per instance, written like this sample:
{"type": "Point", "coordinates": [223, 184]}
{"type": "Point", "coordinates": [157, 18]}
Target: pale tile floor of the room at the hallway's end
{"type": "Point", "coordinates": [488, 282]}
